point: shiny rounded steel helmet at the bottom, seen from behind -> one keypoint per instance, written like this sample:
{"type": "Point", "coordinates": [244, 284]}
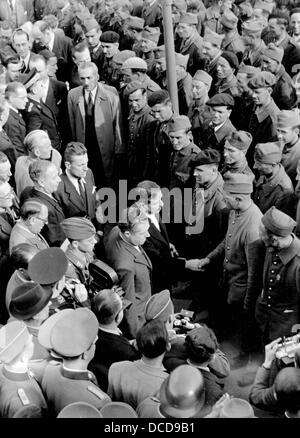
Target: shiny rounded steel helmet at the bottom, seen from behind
{"type": "Point", "coordinates": [182, 393]}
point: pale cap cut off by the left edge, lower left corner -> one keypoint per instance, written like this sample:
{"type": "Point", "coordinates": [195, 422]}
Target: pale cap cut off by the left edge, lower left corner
{"type": "Point", "coordinates": [13, 338]}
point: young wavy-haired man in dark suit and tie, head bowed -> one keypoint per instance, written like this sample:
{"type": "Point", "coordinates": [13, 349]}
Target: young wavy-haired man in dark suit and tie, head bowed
{"type": "Point", "coordinates": [76, 191]}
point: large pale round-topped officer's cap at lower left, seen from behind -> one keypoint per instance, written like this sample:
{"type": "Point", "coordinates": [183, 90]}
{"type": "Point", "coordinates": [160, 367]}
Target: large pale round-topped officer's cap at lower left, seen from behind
{"type": "Point", "coordinates": [75, 333]}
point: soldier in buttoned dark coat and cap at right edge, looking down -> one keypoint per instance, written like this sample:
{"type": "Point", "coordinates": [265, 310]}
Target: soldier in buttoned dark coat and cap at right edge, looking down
{"type": "Point", "coordinates": [274, 263]}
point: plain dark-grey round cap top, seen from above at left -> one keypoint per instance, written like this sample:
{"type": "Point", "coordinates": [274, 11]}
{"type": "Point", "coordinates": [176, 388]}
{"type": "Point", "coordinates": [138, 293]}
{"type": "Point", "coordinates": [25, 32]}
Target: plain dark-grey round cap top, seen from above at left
{"type": "Point", "coordinates": [48, 266]}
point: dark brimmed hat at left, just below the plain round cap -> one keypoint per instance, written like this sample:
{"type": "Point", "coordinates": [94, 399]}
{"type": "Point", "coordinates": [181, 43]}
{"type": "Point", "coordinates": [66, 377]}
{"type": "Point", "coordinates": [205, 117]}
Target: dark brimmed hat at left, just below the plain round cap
{"type": "Point", "coordinates": [29, 299]}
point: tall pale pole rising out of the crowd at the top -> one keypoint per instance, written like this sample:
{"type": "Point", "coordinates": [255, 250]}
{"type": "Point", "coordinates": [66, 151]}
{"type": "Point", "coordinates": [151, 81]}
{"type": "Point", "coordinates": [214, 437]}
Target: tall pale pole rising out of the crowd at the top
{"type": "Point", "coordinates": [170, 53]}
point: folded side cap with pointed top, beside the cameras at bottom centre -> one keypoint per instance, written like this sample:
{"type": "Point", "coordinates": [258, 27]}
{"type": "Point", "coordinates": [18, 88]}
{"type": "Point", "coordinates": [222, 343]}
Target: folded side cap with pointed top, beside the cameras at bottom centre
{"type": "Point", "coordinates": [159, 306]}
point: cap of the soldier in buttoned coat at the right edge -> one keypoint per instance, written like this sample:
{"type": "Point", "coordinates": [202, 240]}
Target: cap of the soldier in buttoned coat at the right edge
{"type": "Point", "coordinates": [278, 223]}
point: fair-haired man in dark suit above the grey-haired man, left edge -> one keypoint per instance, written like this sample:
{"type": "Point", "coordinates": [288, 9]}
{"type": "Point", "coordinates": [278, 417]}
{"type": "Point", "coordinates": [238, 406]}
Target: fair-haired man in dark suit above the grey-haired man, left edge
{"type": "Point", "coordinates": [15, 128]}
